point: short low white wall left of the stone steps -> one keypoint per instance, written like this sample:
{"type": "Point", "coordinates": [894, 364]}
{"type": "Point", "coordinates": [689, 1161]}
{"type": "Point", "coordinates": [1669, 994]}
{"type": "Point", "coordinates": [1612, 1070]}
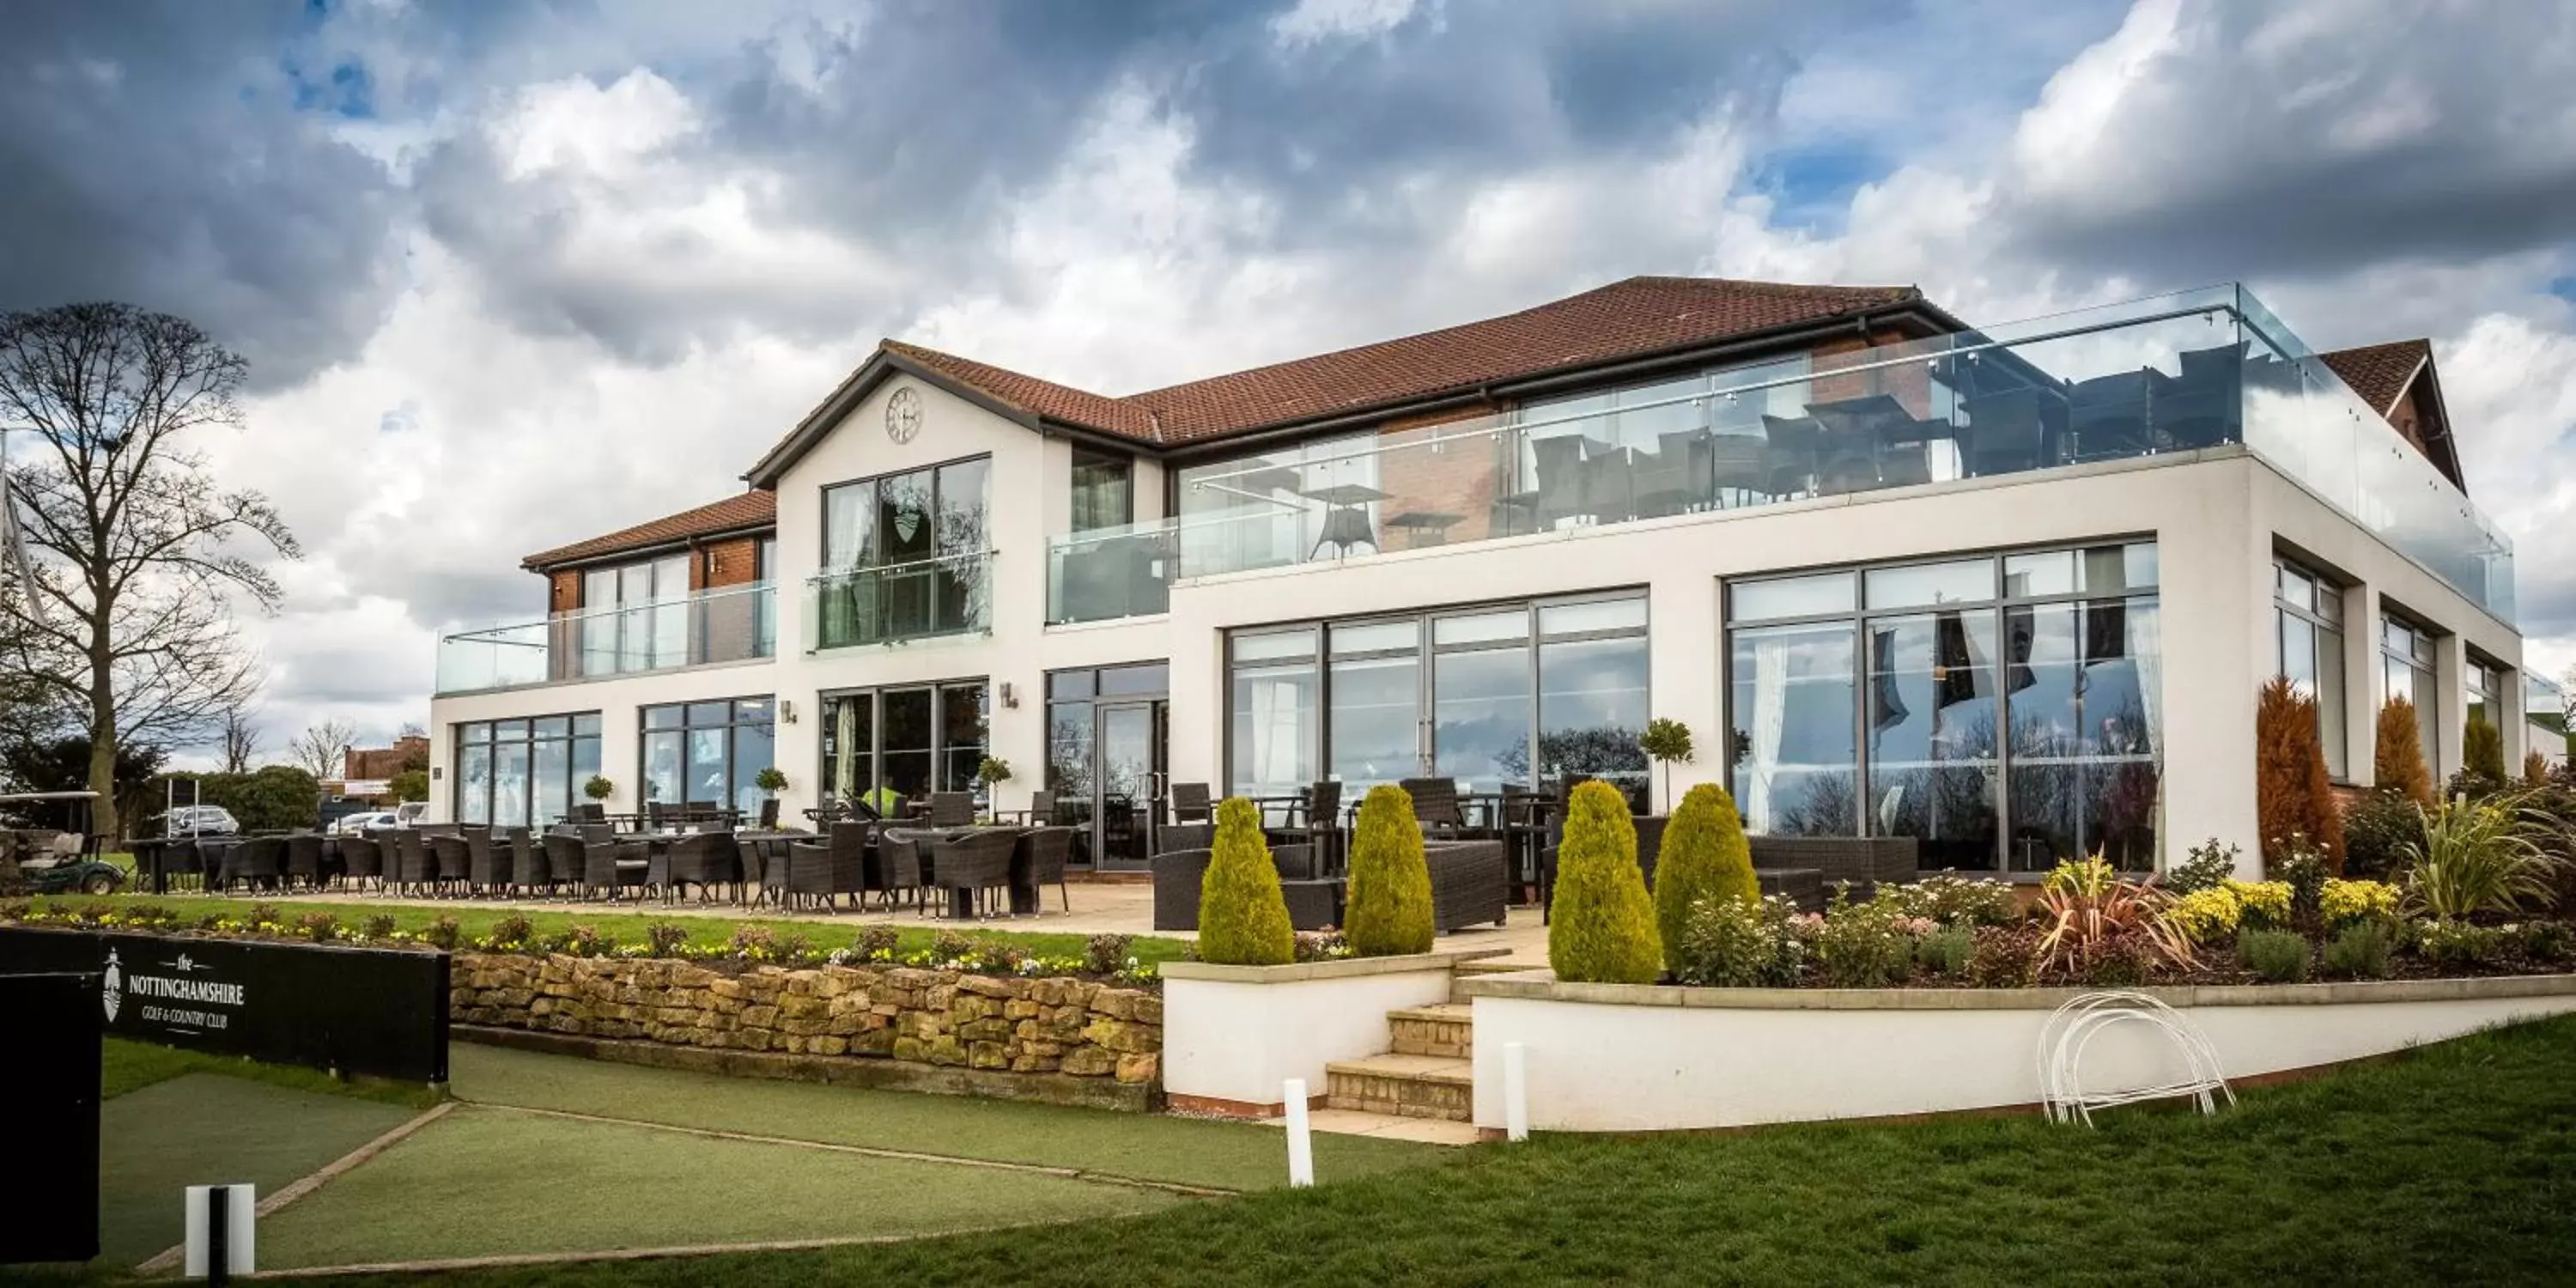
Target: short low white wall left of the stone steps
{"type": "Point", "coordinates": [1238, 1034]}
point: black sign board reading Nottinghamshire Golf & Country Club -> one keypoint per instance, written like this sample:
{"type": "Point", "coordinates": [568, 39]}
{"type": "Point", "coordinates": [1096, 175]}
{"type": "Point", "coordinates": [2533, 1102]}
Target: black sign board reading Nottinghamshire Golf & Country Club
{"type": "Point", "coordinates": [359, 1011]}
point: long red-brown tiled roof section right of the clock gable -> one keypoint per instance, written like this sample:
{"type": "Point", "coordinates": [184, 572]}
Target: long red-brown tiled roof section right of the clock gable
{"type": "Point", "coordinates": [1622, 321]}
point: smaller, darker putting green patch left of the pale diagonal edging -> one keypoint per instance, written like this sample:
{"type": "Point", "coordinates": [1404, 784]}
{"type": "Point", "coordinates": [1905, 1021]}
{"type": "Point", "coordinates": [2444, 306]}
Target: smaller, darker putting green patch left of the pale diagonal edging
{"type": "Point", "coordinates": [213, 1130]}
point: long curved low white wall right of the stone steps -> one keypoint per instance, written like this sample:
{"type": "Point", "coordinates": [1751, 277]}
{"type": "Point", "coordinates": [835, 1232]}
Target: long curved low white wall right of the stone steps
{"type": "Point", "coordinates": [1609, 1057]}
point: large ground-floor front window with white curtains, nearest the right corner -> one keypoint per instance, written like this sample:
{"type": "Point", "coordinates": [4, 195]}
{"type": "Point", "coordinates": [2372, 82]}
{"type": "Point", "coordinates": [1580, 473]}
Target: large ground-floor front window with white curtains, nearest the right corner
{"type": "Point", "coordinates": [2003, 710]}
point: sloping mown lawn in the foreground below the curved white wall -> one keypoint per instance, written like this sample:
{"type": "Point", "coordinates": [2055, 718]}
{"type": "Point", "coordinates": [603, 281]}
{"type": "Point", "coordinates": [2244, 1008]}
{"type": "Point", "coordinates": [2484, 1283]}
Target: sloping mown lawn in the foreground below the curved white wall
{"type": "Point", "coordinates": [2451, 1166]}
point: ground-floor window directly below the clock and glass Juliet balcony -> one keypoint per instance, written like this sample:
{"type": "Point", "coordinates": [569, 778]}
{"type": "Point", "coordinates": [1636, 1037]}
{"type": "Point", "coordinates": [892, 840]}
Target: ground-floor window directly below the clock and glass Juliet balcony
{"type": "Point", "coordinates": [903, 743]}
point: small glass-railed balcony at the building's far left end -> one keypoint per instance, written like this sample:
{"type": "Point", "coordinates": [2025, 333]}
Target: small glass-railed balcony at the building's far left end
{"type": "Point", "coordinates": [728, 625]}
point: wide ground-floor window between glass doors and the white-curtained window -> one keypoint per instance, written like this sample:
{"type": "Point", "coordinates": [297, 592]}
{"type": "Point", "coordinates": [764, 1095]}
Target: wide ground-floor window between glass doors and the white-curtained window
{"type": "Point", "coordinates": [1490, 697]}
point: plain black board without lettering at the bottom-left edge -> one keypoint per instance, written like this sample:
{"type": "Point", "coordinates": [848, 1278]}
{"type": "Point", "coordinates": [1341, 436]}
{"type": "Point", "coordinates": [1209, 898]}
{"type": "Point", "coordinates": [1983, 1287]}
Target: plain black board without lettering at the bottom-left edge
{"type": "Point", "coordinates": [50, 1088]}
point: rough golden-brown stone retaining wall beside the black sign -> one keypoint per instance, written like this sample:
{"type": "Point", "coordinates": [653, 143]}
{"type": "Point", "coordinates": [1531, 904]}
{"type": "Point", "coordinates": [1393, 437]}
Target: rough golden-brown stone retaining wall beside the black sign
{"type": "Point", "coordinates": [893, 1016]}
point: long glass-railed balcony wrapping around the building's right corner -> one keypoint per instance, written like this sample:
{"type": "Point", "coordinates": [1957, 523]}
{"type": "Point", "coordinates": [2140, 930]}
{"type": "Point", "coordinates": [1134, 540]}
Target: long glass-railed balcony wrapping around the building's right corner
{"type": "Point", "coordinates": [2157, 377]}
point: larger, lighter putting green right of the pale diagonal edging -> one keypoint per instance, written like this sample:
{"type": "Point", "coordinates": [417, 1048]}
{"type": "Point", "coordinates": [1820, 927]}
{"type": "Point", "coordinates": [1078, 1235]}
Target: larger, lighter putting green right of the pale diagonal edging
{"type": "Point", "coordinates": [493, 1181]}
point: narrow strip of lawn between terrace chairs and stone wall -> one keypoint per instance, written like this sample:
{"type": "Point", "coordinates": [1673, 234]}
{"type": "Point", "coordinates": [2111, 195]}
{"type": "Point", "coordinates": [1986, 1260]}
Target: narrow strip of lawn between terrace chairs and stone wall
{"type": "Point", "coordinates": [622, 926]}
